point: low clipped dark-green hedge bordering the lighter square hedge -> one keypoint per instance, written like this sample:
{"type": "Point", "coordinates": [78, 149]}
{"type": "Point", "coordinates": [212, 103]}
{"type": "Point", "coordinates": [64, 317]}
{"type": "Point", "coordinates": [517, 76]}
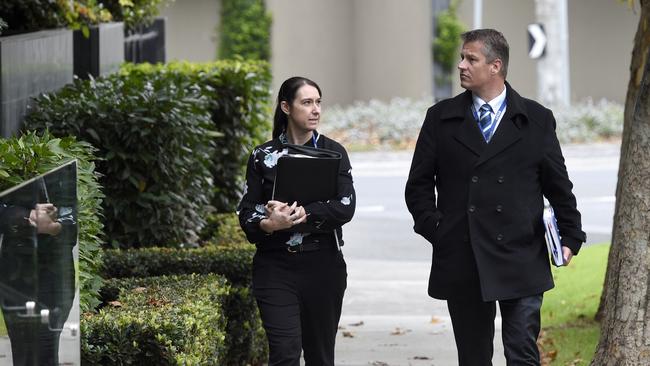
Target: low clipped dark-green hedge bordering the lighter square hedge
{"type": "Point", "coordinates": [246, 340]}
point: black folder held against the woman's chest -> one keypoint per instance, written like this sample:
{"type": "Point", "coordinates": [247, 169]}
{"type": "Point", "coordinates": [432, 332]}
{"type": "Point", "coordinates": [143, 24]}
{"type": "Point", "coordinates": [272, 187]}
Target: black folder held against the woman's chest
{"type": "Point", "coordinates": [306, 175]}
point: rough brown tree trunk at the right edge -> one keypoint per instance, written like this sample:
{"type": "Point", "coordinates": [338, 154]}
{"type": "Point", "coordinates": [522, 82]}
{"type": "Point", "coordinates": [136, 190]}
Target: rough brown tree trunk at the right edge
{"type": "Point", "coordinates": [625, 327]}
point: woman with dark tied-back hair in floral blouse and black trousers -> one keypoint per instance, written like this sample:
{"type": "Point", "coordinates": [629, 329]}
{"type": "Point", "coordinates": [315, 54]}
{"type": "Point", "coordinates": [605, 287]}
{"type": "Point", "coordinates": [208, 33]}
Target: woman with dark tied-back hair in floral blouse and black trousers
{"type": "Point", "coordinates": [298, 277]}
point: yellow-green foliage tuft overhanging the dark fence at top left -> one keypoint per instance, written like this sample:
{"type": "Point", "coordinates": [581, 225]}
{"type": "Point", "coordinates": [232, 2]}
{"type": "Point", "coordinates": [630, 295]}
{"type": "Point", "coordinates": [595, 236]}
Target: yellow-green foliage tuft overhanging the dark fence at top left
{"type": "Point", "coordinates": [134, 13]}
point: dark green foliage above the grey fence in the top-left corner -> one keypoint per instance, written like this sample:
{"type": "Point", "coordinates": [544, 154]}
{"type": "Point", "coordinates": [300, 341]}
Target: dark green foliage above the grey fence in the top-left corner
{"type": "Point", "coordinates": [31, 15]}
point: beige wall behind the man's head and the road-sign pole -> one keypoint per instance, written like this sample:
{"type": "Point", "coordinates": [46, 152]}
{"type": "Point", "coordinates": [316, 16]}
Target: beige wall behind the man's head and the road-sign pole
{"type": "Point", "coordinates": [601, 34]}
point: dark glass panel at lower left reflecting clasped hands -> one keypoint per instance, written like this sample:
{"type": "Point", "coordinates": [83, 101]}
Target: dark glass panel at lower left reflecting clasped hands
{"type": "Point", "coordinates": [39, 296]}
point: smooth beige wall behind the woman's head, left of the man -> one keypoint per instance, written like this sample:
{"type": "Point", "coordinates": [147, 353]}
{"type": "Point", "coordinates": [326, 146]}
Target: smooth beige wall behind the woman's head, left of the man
{"type": "Point", "coordinates": [354, 49]}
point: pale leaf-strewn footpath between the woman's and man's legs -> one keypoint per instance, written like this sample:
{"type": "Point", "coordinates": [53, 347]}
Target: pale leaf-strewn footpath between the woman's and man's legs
{"type": "Point", "coordinates": [388, 319]}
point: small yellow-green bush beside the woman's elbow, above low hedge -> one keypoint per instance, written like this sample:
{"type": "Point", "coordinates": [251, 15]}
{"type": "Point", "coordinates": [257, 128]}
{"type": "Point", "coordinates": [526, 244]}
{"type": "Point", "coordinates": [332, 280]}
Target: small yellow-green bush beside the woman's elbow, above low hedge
{"type": "Point", "coordinates": [223, 229]}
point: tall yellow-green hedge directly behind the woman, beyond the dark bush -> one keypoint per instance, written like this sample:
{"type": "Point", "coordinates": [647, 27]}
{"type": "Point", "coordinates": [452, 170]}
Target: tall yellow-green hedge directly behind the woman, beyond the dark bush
{"type": "Point", "coordinates": [238, 94]}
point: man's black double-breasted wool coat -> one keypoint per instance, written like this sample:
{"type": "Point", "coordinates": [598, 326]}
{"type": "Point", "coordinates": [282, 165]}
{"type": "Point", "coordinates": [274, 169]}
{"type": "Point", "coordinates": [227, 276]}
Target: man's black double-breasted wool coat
{"type": "Point", "coordinates": [485, 224]}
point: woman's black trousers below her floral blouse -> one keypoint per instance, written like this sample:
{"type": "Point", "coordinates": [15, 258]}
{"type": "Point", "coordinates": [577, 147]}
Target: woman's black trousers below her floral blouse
{"type": "Point", "coordinates": [300, 297]}
